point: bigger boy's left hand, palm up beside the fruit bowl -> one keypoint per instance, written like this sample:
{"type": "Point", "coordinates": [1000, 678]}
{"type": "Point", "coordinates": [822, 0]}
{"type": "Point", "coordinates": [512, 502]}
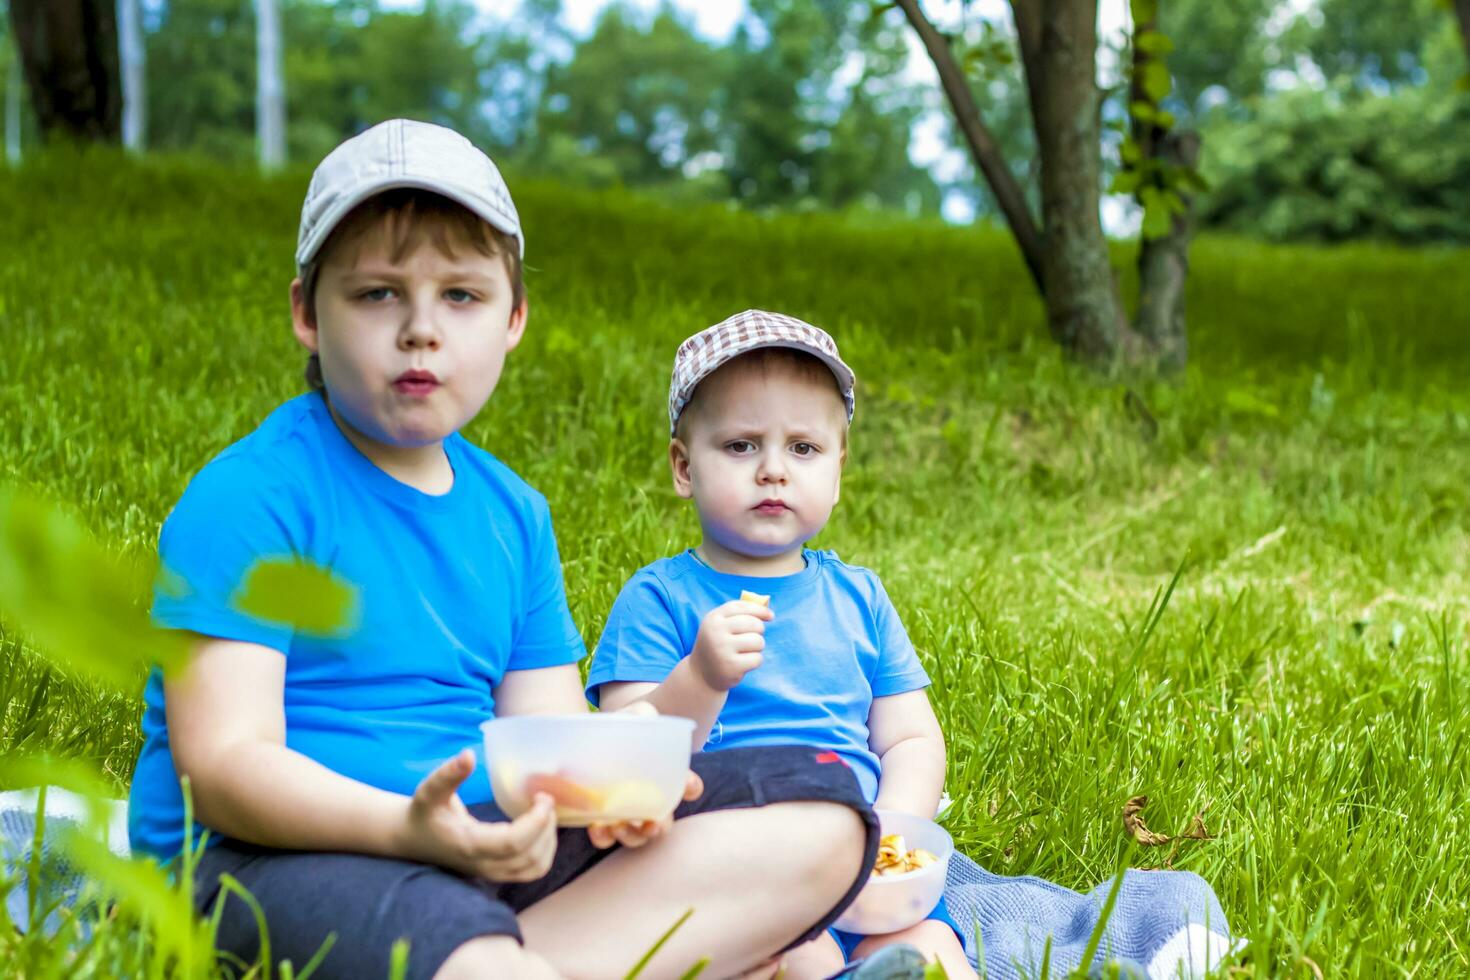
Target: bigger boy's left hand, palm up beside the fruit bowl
{"type": "Point", "coordinates": [443, 832]}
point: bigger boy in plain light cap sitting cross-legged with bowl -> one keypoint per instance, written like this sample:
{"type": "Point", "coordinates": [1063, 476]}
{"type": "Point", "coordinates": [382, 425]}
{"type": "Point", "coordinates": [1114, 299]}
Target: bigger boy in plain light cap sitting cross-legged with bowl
{"type": "Point", "coordinates": [334, 771]}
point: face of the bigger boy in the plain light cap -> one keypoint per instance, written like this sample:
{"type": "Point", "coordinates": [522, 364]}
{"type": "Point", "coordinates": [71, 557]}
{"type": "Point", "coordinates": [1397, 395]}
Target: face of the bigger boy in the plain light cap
{"type": "Point", "coordinates": [411, 350]}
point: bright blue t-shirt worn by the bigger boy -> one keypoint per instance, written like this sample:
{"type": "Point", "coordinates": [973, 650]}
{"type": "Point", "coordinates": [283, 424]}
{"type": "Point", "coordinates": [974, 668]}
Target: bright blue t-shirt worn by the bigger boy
{"type": "Point", "coordinates": [452, 593]}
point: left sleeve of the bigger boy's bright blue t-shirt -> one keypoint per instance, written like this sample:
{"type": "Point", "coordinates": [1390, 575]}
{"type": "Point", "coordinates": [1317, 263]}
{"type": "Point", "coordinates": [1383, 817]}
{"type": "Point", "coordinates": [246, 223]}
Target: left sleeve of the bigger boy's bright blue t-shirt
{"type": "Point", "coordinates": [227, 521]}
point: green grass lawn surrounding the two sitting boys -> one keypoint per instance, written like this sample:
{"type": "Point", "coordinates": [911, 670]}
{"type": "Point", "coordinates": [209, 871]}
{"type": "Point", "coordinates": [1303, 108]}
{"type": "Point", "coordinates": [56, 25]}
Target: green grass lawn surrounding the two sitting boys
{"type": "Point", "coordinates": [1308, 687]}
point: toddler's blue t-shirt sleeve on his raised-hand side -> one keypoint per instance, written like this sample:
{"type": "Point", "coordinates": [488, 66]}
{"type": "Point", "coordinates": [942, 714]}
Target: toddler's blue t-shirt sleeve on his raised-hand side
{"type": "Point", "coordinates": [642, 640]}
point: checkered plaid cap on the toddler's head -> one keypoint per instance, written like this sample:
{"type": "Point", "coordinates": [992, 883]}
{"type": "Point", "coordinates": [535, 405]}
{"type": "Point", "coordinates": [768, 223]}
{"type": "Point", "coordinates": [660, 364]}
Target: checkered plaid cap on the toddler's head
{"type": "Point", "coordinates": [703, 353]}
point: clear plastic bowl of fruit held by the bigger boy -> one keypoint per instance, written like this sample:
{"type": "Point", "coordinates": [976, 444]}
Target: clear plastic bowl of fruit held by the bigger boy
{"type": "Point", "coordinates": [598, 768]}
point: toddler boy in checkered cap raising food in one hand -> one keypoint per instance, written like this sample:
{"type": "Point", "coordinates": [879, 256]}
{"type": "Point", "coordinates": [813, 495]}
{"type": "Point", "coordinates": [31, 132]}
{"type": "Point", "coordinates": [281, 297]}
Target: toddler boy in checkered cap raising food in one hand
{"type": "Point", "coordinates": [759, 414]}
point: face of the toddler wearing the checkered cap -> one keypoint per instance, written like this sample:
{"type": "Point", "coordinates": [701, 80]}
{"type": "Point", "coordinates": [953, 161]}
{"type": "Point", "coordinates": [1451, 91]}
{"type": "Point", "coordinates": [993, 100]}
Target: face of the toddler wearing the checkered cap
{"type": "Point", "coordinates": [762, 458]}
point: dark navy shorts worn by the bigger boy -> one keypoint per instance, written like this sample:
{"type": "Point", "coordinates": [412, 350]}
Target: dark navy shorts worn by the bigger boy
{"type": "Point", "coordinates": [371, 901]}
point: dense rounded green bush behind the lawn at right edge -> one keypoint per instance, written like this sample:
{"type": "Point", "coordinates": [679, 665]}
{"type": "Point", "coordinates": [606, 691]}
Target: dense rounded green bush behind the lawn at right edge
{"type": "Point", "coordinates": [1338, 165]}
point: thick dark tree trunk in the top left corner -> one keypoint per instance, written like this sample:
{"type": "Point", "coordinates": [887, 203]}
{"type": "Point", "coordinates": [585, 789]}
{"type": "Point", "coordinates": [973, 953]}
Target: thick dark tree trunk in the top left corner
{"type": "Point", "coordinates": [70, 54]}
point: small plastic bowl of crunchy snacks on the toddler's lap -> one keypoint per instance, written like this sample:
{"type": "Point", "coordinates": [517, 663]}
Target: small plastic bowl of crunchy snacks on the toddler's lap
{"type": "Point", "coordinates": [897, 901]}
